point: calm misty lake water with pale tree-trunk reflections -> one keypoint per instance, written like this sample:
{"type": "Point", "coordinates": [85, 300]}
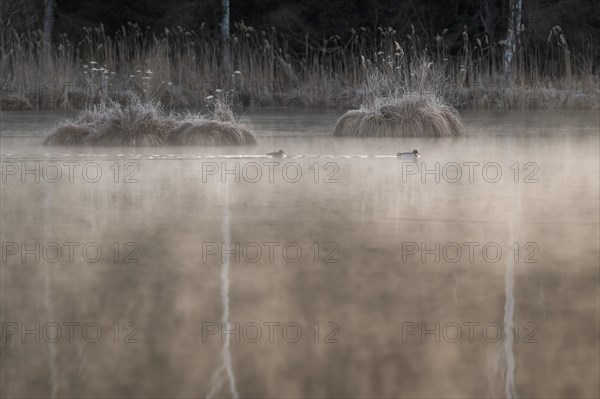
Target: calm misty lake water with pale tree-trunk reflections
{"type": "Point", "coordinates": [373, 257]}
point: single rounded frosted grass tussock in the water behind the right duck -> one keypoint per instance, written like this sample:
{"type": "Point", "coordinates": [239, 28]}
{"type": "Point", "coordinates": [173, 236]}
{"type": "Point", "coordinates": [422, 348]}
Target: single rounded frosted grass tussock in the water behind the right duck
{"type": "Point", "coordinates": [410, 115]}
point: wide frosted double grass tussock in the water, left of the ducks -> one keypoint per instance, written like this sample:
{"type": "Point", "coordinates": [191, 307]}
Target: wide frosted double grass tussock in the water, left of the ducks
{"type": "Point", "coordinates": [146, 124]}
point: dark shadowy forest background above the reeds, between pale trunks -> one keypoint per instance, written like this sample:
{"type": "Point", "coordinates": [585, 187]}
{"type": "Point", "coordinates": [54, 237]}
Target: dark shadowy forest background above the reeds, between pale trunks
{"type": "Point", "coordinates": [319, 18]}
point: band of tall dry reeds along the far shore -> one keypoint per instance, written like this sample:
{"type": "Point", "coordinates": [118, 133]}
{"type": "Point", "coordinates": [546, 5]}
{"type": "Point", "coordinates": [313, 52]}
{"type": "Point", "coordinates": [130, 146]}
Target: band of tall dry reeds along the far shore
{"type": "Point", "coordinates": [270, 69]}
